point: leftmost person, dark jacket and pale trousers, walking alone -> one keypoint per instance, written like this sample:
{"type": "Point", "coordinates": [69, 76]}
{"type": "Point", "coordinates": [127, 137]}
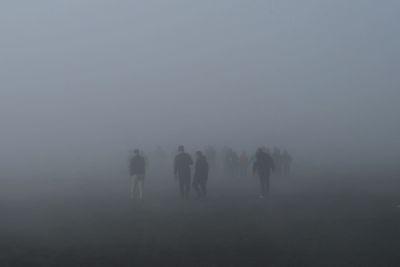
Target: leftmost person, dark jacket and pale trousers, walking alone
{"type": "Point", "coordinates": [137, 174]}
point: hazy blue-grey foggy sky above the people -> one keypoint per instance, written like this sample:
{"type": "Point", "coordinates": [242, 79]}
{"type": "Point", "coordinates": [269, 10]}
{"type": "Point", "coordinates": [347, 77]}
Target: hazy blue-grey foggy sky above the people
{"type": "Point", "coordinates": [80, 78]}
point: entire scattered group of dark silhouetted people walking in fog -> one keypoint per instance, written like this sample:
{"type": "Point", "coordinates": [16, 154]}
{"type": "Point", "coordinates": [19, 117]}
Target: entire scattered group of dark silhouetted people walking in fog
{"type": "Point", "coordinates": [263, 163]}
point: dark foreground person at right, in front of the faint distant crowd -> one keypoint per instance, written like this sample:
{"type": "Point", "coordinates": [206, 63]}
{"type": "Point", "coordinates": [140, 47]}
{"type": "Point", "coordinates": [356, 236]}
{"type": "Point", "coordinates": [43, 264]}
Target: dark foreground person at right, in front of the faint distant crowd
{"type": "Point", "coordinates": [263, 166]}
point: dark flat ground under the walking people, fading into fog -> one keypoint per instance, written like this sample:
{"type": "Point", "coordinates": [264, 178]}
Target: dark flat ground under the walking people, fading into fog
{"type": "Point", "coordinates": [317, 220]}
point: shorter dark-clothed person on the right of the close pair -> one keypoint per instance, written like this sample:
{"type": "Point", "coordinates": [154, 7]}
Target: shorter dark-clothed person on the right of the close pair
{"type": "Point", "coordinates": [200, 175]}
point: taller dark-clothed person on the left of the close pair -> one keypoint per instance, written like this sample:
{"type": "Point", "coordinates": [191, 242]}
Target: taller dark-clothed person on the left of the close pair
{"type": "Point", "coordinates": [182, 171]}
